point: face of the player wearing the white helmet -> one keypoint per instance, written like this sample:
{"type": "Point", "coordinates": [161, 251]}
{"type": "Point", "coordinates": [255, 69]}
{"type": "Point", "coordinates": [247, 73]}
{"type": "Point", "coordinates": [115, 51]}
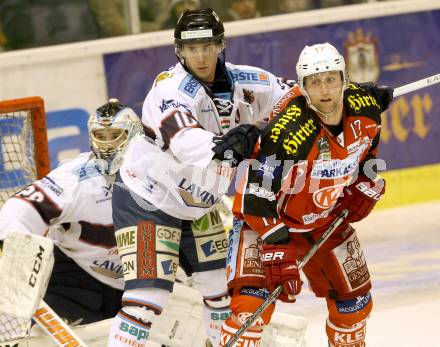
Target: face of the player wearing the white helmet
{"type": "Point", "coordinates": [324, 90]}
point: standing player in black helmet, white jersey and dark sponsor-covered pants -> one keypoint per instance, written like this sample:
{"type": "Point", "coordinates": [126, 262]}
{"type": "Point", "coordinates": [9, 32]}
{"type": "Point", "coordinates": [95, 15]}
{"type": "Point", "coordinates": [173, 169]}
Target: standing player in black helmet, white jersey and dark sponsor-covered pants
{"type": "Point", "coordinates": [199, 112]}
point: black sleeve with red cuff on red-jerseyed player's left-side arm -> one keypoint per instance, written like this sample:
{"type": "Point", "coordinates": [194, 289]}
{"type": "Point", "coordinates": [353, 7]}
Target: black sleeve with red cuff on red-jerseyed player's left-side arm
{"type": "Point", "coordinates": [257, 200]}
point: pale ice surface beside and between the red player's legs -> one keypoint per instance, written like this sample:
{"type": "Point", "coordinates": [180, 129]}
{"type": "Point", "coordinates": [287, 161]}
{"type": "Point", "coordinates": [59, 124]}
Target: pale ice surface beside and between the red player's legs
{"type": "Point", "coordinates": [402, 247]}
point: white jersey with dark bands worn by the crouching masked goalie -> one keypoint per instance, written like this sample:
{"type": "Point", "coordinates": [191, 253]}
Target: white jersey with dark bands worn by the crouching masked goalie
{"type": "Point", "coordinates": [71, 205]}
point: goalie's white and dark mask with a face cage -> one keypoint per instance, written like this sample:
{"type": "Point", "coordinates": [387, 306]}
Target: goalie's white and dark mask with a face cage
{"type": "Point", "coordinates": [110, 131]}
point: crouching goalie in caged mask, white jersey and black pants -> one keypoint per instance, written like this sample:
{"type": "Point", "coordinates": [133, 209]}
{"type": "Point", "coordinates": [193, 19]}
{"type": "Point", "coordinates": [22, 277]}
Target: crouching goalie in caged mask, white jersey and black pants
{"type": "Point", "coordinates": [72, 206]}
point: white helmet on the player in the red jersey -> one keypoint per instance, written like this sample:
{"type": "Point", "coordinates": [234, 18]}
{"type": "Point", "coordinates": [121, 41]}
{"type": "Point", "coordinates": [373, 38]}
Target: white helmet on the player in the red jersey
{"type": "Point", "coordinates": [319, 58]}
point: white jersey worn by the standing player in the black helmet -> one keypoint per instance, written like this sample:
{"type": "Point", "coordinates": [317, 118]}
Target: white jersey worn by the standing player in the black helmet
{"type": "Point", "coordinates": [177, 174]}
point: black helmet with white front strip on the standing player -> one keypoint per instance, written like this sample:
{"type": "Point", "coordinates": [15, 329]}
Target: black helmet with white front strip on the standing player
{"type": "Point", "coordinates": [199, 26]}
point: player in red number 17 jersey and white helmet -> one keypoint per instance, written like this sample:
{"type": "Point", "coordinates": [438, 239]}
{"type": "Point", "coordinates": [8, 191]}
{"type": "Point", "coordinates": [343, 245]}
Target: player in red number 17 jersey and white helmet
{"type": "Point", "coordinates": [315, 158]}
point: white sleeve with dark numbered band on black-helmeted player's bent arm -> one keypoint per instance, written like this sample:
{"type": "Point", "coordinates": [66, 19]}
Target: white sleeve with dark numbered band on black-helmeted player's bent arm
{"type": "Point", "coordinates": [173, 119]}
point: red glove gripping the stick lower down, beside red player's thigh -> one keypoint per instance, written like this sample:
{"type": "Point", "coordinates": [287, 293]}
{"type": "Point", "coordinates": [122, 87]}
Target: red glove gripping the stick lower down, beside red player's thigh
{"type": "Point", "coordinates": [280, 267]}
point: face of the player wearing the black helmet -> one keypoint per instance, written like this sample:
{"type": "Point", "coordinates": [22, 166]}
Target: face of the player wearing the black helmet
{"type": "Point", "coordinates": [201, 59]}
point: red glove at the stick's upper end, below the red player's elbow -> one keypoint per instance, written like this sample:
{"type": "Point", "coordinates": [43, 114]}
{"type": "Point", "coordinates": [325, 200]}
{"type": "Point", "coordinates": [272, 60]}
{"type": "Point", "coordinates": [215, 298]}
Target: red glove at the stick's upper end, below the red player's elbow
{"type": "Point", "coordinates": [360, 198]}
